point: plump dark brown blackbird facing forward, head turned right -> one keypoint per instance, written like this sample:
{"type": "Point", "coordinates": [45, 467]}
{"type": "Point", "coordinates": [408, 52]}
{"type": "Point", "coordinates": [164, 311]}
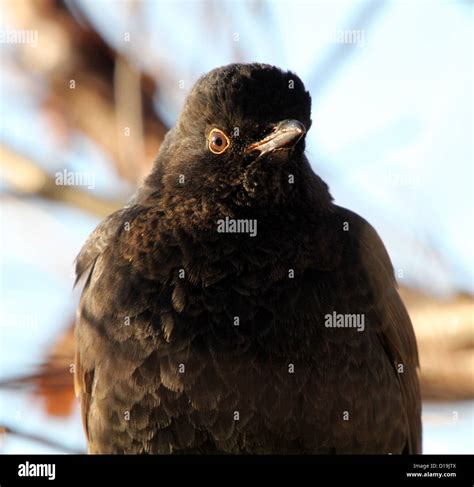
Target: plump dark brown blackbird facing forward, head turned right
{"type": "Point", "coordinates": [231, 306]}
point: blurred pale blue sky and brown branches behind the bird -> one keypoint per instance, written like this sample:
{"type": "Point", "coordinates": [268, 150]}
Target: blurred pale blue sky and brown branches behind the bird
{"type": "Point", "coordinates": [89, 88]}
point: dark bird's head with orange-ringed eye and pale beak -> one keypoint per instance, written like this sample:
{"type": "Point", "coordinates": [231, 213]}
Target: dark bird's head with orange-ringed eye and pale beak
{"type": "Point", "coordinates": [240, 137]}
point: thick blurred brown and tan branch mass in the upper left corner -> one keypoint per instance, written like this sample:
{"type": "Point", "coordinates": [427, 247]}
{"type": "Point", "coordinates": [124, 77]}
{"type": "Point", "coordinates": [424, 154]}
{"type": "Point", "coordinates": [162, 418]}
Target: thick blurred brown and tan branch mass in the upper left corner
{"type": "Point", "coordinates": [80, 70]}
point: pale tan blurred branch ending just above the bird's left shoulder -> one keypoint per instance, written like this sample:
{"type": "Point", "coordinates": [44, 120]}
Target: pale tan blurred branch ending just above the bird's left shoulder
{"type": "Point", "coordinates": [27, 178]}
